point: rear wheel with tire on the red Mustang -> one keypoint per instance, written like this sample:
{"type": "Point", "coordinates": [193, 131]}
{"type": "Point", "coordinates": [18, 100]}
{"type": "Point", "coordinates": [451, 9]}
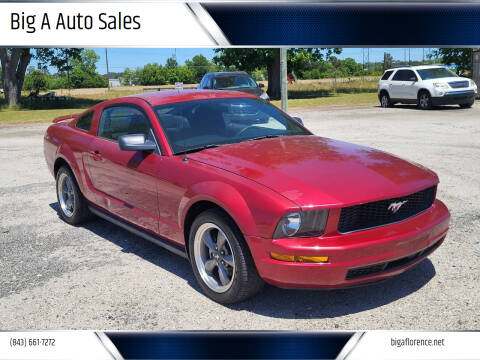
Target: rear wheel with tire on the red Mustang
{"type": "Point", "coordinates": [73, 207]}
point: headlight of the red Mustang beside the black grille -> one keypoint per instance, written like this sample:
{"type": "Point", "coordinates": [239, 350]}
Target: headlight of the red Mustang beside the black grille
{"type": "Point", "coordinates": [302, 224]}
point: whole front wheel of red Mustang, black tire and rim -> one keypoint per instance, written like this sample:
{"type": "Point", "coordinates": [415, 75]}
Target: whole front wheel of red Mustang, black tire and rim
{"type": "Point", "coordinates": [221, 260]}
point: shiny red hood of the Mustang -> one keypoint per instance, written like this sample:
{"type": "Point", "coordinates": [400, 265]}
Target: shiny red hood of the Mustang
{"type": "Point", "coordinates": [311, 170]}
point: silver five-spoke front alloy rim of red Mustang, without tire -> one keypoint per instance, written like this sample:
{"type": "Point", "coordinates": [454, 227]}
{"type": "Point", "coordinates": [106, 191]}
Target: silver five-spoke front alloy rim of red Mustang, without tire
{"type": "Point", "coordinates": [214, 258]}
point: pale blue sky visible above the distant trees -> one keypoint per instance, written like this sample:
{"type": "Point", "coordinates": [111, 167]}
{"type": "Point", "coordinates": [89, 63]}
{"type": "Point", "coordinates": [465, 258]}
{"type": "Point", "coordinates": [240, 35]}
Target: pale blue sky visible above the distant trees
{"type": "Point", "coordinates": [121, 58]}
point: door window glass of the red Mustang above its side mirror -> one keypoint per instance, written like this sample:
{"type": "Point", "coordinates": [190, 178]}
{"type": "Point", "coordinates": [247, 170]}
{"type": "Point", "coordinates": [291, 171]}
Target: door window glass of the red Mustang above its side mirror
{"type": "Point", "coordinates": [123, 120]}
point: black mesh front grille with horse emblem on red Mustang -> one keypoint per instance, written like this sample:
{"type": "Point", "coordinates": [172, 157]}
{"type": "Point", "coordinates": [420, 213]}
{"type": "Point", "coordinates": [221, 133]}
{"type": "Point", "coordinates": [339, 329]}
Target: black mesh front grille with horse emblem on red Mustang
{"type": "Point", "coordinates": [380, 213]}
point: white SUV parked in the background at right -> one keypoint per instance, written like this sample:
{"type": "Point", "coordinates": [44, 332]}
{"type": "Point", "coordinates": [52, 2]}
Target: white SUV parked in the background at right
{"type": "Point", "coordinates": [425, 86]}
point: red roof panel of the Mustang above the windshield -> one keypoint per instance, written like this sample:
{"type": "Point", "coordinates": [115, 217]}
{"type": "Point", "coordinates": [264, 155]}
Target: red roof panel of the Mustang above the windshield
{"type": "Point", "coordinates": [166, 97]}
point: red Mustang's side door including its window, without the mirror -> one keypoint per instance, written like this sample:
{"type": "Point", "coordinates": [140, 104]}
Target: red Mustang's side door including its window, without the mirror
{"type": "Point", "coordinates": [125, 181]}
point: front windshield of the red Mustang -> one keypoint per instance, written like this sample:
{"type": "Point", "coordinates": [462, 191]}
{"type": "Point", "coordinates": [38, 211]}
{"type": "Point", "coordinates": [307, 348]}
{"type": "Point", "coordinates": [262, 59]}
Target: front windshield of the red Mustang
{"type": "Point", "coordinates": [195, 125]}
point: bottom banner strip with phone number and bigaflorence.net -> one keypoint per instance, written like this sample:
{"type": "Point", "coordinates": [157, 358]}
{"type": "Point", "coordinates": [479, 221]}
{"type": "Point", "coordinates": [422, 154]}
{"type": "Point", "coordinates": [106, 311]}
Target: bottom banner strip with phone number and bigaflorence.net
{"type": "Point", "coordinates": [360, 345]}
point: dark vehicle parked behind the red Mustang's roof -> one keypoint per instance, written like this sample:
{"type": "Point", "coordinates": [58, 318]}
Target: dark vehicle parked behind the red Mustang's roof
{"type": "Point", "coordinates": [235, 80]}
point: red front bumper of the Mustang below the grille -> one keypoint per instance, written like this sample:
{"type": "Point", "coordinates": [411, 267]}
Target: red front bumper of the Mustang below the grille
{"type": "Point", "coordinates": [355, 258]}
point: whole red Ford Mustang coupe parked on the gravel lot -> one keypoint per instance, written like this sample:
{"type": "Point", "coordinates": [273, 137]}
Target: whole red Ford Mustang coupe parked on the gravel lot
{"type": "Point", "coordinates": [244, 191]}
